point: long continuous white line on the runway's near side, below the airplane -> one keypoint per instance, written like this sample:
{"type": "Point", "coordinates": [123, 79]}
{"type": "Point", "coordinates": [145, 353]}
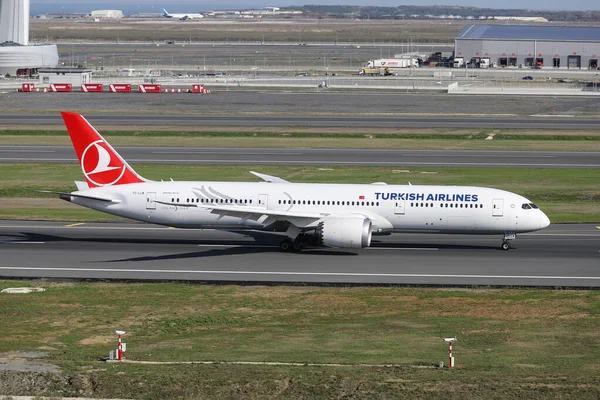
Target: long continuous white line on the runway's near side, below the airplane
{"type": "Point", "coordinates": [287, 273]}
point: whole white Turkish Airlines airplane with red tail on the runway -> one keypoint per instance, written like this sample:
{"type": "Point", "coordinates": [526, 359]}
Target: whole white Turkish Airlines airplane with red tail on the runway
{"type": "Point", "coordinates": [331, 215]}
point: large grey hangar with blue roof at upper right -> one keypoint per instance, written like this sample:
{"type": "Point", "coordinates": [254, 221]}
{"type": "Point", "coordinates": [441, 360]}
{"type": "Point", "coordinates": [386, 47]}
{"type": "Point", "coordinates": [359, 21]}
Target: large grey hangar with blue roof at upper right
{"type": "Point", "coordinates": [572, 47]}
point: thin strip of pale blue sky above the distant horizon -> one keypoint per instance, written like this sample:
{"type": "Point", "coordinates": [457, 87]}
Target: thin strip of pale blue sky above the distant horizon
{"type": "Point", "coordinates": [136, 6]}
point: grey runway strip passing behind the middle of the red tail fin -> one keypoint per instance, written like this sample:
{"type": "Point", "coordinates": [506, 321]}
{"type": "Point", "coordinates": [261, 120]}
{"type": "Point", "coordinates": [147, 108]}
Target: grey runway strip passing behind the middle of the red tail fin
{"type": "Point", "coordinates": [323, 157]}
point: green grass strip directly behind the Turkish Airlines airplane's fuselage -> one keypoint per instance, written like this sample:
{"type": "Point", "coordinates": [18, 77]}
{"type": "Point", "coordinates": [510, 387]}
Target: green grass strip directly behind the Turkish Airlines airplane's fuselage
{"type": "Point", "coordinates": [567, 195]}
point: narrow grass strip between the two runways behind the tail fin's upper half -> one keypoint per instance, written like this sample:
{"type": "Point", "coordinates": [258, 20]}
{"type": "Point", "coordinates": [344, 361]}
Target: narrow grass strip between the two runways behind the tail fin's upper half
{"type": "Point", "coordinates": [426, 139]}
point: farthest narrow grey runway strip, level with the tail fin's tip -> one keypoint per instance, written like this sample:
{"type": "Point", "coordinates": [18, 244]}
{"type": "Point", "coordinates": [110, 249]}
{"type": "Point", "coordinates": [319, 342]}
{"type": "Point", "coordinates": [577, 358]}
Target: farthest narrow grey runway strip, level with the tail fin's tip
{"type": "Point", "coordinates": [313, 121]}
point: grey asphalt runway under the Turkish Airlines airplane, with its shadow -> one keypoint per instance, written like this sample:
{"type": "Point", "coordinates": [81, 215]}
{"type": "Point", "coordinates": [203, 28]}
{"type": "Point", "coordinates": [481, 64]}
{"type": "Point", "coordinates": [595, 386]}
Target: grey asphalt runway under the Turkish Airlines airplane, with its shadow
{"type": "Point", "coordinates": [560, 256]}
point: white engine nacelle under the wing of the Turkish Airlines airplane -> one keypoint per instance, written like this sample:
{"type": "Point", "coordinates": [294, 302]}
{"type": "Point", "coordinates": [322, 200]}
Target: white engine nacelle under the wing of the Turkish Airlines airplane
{"type": "Point", "coordinates": [350, 232]}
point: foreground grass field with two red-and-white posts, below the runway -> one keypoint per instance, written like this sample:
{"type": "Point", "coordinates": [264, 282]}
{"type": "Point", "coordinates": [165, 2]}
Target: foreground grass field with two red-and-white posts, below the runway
{"type": "Point", "coordinates": [512, 343]}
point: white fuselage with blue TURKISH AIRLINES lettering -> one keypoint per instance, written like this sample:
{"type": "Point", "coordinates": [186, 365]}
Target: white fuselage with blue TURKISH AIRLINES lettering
{"type": "Point", "coordinates": [391, 208]}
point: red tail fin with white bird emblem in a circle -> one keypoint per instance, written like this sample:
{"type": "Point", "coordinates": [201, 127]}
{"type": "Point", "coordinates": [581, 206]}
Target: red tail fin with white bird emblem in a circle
{"type": "Point", "coordinates": [100, 163]}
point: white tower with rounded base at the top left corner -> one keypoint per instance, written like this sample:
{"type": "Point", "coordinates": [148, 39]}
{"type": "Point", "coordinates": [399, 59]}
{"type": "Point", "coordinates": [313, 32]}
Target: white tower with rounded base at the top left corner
{"type": "Point", "coordinates": [16, 57]}
